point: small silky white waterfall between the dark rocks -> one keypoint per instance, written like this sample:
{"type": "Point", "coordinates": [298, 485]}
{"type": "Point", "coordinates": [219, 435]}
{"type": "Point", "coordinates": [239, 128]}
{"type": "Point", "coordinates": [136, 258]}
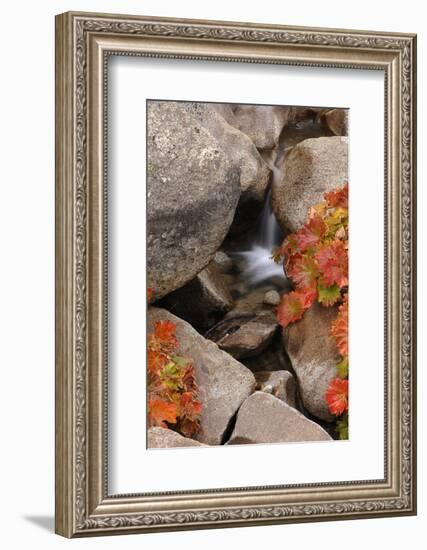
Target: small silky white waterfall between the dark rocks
{"type": "Point", "coordinates": [257, 261]}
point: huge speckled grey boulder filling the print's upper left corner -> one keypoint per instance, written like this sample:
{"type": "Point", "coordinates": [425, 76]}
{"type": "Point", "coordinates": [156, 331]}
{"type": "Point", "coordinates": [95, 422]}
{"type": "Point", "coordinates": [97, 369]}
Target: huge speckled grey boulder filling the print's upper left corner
{"type": "Point", "coordinates": [193, 192]}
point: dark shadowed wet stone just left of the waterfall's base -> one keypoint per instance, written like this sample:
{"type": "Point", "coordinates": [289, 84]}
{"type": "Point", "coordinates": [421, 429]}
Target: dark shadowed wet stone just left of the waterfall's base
{"type": "Point", "coordinates": [202, 301]}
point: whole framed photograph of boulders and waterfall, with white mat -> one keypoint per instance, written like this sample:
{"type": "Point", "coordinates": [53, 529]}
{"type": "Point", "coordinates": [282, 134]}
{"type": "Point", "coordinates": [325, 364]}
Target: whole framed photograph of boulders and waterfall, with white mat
{"type": "Point", "coordinates": [235, 274]}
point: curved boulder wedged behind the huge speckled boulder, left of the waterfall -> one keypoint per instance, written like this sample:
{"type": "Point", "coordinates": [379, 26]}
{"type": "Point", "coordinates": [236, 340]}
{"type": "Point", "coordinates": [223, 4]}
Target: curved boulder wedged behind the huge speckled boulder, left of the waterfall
{"type": "Point", "coordinates": [253, 171]}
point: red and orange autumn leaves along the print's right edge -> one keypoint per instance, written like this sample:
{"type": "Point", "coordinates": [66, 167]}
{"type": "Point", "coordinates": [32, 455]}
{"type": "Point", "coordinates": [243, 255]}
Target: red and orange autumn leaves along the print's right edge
{"type": "Point", "coordinates": [316, 260]}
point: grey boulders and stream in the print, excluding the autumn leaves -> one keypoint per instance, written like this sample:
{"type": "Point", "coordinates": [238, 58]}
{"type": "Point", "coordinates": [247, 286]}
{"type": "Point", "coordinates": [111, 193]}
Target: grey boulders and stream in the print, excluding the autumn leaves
{"type": "Point", "coordinates": [226, 183]}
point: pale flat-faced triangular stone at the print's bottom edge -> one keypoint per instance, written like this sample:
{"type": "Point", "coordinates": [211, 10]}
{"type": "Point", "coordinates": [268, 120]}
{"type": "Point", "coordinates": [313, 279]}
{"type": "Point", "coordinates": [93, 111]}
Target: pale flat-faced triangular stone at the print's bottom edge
{"type": "Point", "coordinates": [263, 418]}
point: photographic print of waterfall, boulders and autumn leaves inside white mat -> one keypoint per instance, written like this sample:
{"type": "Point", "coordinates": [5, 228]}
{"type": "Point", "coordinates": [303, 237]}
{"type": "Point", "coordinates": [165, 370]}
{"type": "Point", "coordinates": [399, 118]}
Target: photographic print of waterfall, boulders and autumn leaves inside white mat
{"type": "Point", "coordinates": [247, 274]}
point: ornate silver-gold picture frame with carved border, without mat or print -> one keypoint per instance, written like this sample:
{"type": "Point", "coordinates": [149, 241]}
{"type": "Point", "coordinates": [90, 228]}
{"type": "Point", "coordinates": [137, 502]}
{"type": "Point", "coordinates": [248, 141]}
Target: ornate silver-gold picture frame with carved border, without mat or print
{"type": "Point", "coordinates": [83, 42]}
